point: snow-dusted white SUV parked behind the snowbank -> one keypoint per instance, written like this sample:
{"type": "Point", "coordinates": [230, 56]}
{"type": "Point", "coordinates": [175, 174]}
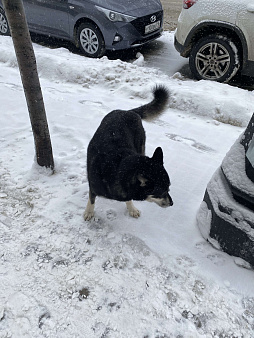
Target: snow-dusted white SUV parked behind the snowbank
{"type": "Point", "coordinates": [217, 37]}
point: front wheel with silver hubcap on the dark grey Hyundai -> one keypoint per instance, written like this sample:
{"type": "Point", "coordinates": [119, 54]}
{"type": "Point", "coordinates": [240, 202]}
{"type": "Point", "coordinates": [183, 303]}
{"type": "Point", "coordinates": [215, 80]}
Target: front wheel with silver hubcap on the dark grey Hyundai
{"type": "Point", "coordinates": [90, 40]}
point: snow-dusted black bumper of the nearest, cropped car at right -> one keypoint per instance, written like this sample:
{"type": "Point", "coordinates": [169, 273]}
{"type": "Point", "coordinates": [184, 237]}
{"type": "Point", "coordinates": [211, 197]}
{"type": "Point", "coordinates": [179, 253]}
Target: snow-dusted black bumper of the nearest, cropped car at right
{"type": "Point", "coordinates": [226, 224]}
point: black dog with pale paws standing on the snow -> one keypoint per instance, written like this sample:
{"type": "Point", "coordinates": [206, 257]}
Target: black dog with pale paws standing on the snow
{"type": "Point", "coordinates": [117, 167]}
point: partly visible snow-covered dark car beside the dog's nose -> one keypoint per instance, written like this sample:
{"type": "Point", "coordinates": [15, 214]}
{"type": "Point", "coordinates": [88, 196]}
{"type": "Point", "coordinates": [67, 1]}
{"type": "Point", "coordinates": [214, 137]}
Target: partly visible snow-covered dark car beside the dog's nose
{"type": "Point", "coordinates": [226, 215]}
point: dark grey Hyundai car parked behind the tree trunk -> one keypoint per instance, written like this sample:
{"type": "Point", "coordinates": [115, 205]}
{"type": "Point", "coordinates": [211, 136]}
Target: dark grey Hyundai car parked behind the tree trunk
{"type": "Point", "coordinates": [95, 26]}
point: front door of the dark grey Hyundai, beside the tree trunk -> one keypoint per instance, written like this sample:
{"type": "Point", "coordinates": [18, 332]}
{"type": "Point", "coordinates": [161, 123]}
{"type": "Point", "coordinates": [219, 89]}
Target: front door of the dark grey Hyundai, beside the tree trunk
{"type": "Point", "coordinates": [49, 17]}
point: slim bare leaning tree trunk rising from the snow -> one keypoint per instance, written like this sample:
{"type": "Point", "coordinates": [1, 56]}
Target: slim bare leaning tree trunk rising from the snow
{"type": "Point", "coordinates": [14, 10]}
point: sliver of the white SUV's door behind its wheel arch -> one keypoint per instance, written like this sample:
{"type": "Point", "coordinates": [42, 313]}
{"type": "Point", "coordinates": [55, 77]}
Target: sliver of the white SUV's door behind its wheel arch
{"type": "Point", "coordinates": [245, 21]}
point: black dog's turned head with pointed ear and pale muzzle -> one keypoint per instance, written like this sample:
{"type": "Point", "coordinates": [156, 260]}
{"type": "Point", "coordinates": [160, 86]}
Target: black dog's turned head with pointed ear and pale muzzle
{"type": "Point", "coordinates": [154, 180]}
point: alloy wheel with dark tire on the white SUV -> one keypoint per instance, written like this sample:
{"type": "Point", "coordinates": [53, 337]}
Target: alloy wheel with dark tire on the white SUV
{"type": "Point", "coordinates": [214, 57]}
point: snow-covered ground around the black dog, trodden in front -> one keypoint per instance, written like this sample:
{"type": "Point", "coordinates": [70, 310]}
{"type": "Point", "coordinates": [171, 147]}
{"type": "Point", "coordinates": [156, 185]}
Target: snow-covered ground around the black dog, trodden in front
{"type": "Point", "coordinates": [115, 276]}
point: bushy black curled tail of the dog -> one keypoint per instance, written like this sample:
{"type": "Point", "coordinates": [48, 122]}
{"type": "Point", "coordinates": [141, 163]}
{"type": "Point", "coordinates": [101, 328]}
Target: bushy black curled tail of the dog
{"type": "Point", "coordinates": [153, 109]}
